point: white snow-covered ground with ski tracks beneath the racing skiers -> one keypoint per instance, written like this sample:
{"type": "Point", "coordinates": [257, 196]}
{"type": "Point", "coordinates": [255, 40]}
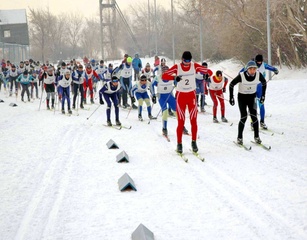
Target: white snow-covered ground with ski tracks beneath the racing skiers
{"type": "Point", "coordinates": [60, 181]}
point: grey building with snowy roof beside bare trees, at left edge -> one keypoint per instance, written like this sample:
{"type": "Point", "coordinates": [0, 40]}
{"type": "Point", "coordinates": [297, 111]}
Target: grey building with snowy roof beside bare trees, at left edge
{"type": "Point", "coordinates": [14, 35]}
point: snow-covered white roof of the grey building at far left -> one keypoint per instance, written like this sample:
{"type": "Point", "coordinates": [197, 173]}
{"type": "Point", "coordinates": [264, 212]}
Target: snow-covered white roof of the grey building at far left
{"type": "Point", "coordinates": [14, 16]}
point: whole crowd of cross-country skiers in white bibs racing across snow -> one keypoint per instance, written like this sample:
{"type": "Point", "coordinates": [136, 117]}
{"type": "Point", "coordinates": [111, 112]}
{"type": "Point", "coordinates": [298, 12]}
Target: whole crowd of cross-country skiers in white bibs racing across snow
{"type": "Point", "coordinates": [149, 85]}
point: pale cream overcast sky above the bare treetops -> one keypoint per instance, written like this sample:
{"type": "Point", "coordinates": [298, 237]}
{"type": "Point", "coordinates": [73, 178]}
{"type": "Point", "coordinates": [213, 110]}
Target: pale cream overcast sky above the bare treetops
{"type": "Point", "coordinates": [87, 7]}
